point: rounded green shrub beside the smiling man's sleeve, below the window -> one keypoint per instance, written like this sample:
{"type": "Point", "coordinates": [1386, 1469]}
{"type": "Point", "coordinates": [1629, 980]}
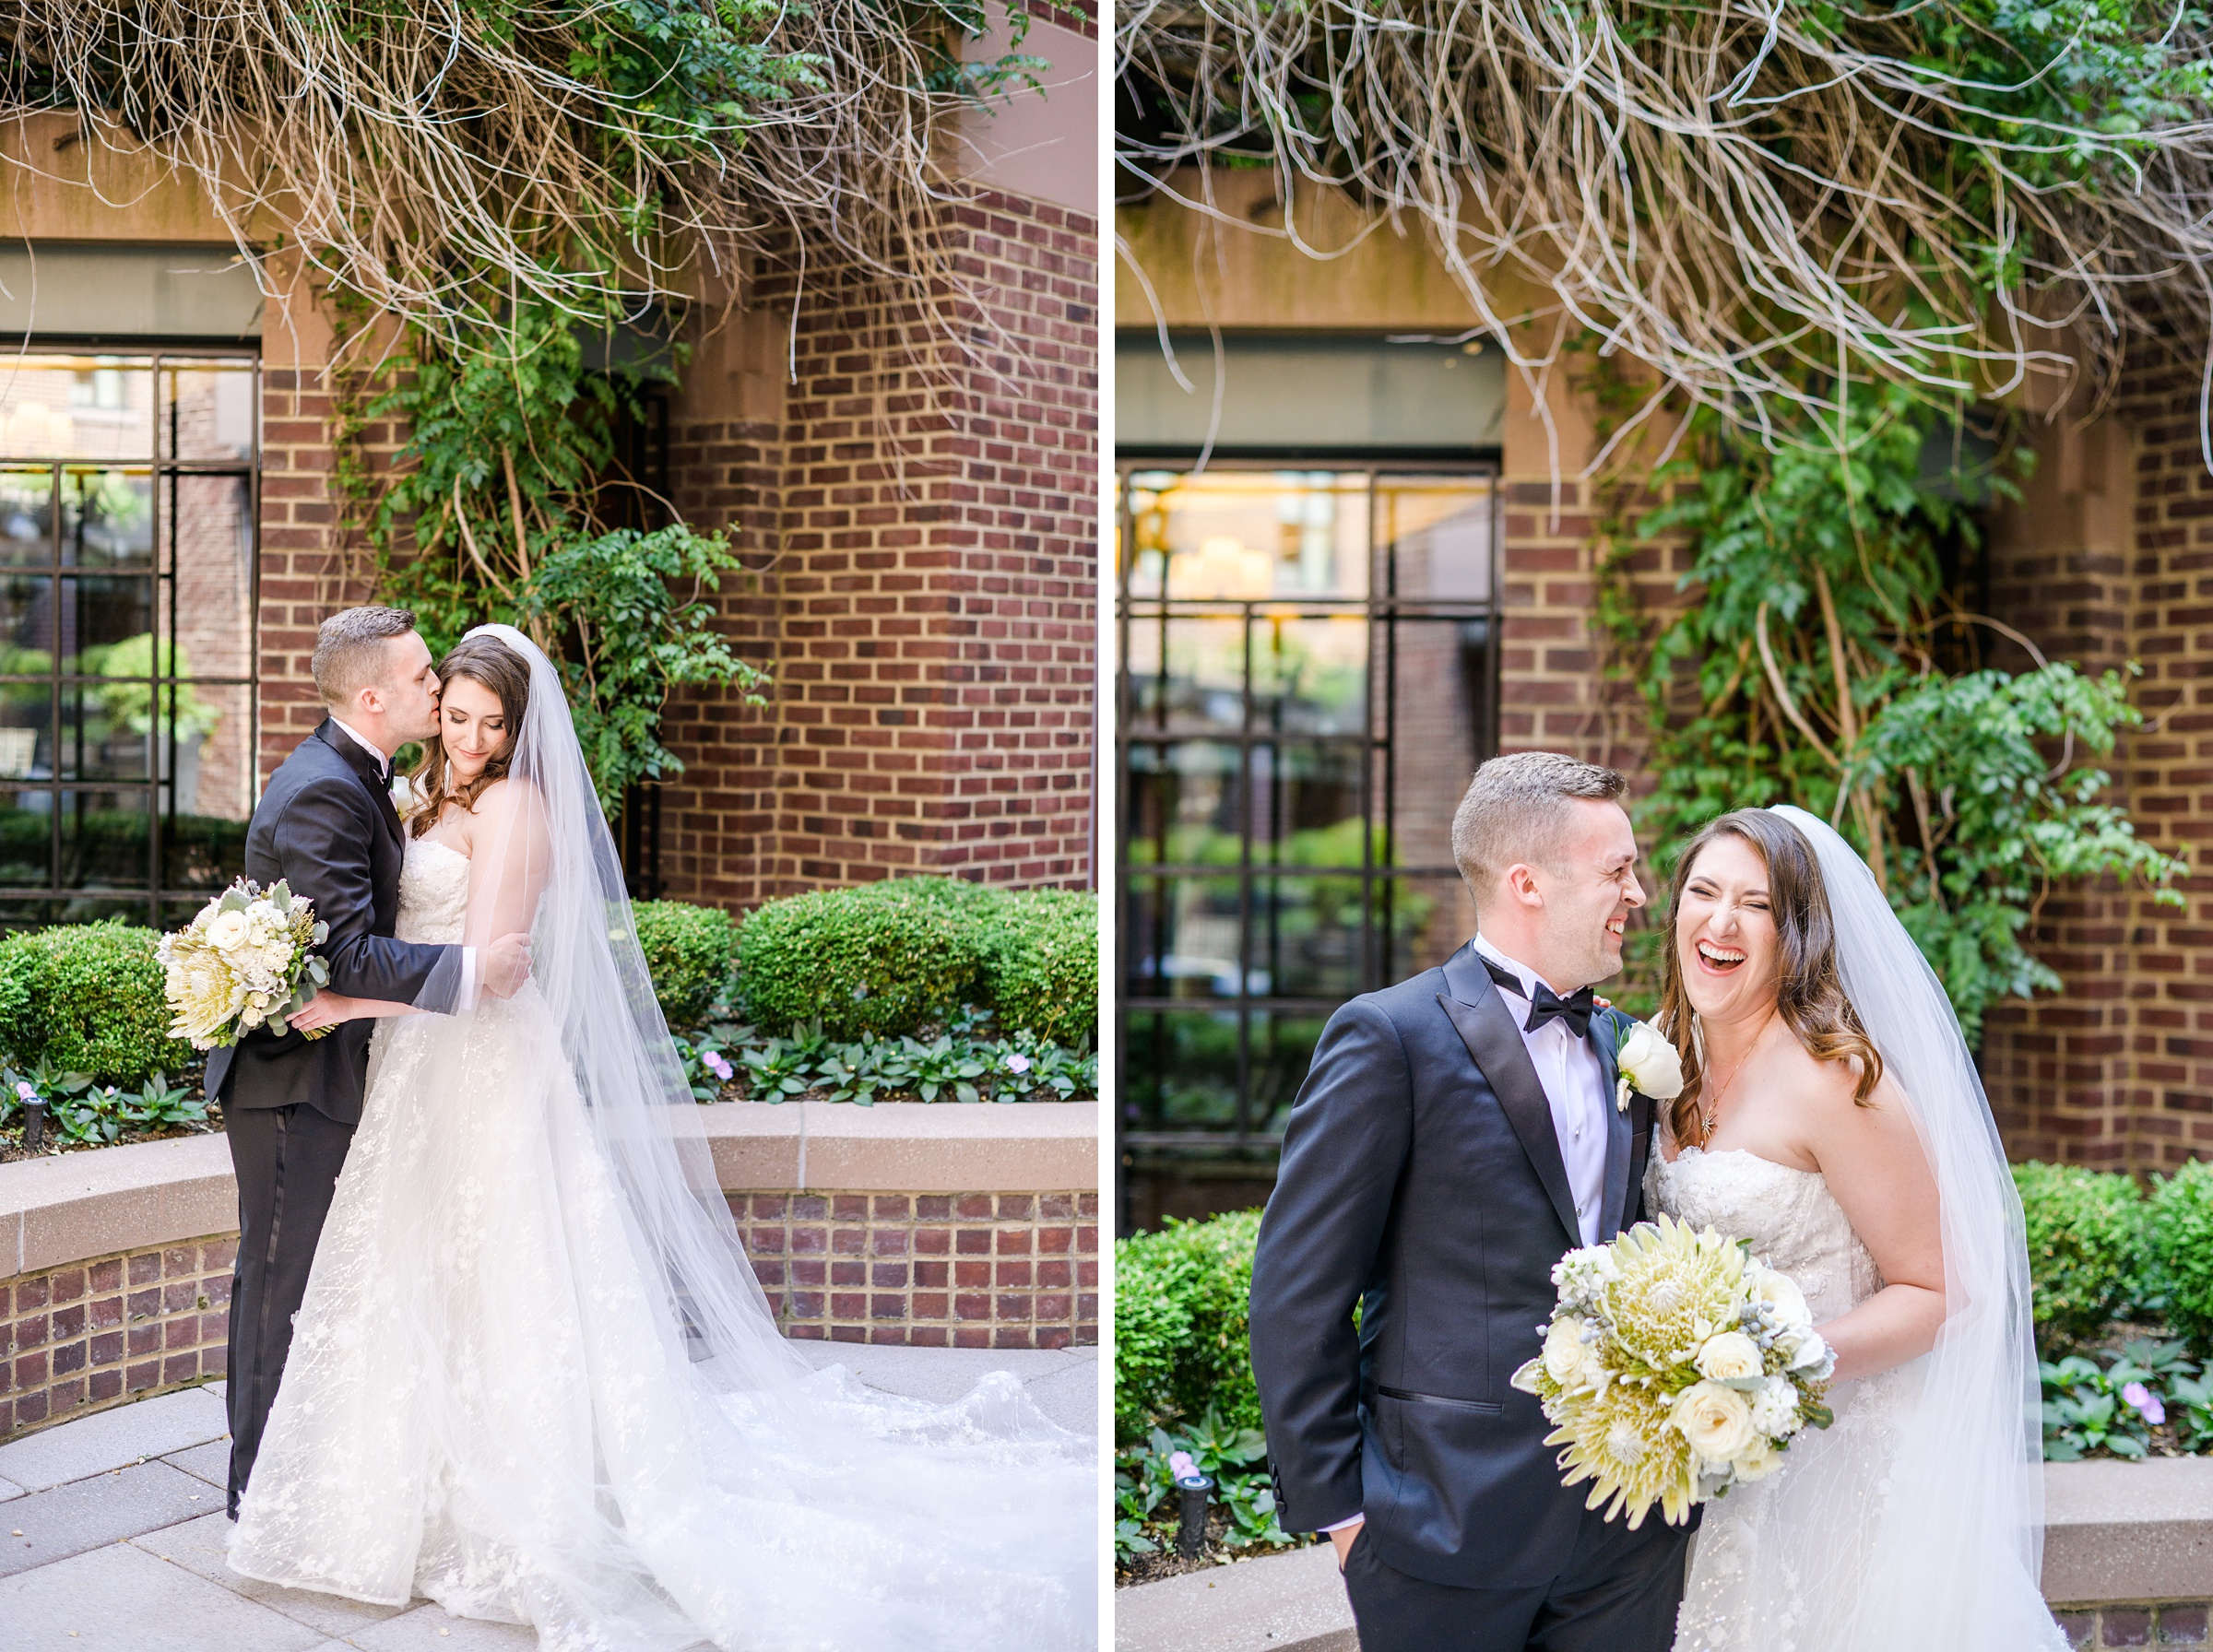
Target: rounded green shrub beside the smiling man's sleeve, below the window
{"type": "Point", "coordinates": [1181, 1326]}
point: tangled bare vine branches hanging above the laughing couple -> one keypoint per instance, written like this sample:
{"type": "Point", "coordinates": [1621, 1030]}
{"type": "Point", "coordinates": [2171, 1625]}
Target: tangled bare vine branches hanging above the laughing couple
{"type": "Point", "coordinates": [1760, 211]}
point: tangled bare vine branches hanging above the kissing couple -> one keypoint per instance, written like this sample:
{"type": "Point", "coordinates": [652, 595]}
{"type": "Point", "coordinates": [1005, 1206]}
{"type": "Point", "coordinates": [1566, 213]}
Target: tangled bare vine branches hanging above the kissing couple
{"type": "Point", "coordinates": [439, 158]}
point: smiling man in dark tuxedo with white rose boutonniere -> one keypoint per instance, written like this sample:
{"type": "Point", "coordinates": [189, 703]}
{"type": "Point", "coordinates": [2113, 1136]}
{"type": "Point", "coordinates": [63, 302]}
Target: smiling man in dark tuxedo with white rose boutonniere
{"type": "Point", "coordinates": [1457, 1133]}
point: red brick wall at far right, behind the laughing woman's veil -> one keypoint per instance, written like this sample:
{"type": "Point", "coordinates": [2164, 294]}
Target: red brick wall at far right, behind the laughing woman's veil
{"type": "Point", "coordinates": [2108, 561]}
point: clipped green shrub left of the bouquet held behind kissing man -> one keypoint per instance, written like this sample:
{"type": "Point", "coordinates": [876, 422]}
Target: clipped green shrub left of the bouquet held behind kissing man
{"type": "Point", "coordinates": [87, 998]}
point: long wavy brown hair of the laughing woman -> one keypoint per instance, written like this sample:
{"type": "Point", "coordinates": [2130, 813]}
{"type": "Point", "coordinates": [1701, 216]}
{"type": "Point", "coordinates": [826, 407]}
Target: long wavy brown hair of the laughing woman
{"type": "Point", "coordinates": [1809, 990]}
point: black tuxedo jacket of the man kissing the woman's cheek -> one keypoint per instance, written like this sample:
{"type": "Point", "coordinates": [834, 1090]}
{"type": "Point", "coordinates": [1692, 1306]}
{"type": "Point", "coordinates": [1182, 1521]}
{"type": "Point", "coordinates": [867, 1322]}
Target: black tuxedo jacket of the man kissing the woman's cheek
{"type": "Point", "coordinates": [326, 826]}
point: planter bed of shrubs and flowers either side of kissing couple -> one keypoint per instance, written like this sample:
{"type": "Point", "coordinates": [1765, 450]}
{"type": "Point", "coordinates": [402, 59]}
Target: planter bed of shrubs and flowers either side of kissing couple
{"type": "Point", "coordinates": [1004, 1010]}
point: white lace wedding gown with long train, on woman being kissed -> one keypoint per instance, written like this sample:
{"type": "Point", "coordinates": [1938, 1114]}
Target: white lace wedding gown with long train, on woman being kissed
{"type": "Point", "coordinates": [492, 1405]}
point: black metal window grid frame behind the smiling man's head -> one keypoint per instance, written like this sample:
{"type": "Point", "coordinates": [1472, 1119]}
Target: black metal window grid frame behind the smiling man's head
{"type": "Point", "coordinates": [1384, 611]}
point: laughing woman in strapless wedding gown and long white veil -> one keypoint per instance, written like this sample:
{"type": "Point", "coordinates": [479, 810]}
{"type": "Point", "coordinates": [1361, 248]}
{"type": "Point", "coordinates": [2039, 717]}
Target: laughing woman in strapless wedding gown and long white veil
{"type": "Point", "coordinates": [1831, 1118]}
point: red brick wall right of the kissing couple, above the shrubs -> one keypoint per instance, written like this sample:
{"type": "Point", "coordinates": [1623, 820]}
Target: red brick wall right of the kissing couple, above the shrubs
{"type": "Point", "coordinates": [928, 525]}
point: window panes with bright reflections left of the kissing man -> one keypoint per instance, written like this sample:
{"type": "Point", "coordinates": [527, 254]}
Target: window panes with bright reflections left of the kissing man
{"type": "Point", "coordinates": [127, 651]}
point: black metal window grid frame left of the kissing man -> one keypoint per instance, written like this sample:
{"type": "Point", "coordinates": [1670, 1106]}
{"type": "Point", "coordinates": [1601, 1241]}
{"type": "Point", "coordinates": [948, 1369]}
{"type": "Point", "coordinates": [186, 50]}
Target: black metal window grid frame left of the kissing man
{"type": "Point", "coordinates": [160, 782]}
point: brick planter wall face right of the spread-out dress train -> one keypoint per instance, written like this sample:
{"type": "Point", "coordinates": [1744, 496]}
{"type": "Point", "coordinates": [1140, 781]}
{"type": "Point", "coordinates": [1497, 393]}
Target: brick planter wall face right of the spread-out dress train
{"type": "Point", "coordinates": [928, 1271]}
